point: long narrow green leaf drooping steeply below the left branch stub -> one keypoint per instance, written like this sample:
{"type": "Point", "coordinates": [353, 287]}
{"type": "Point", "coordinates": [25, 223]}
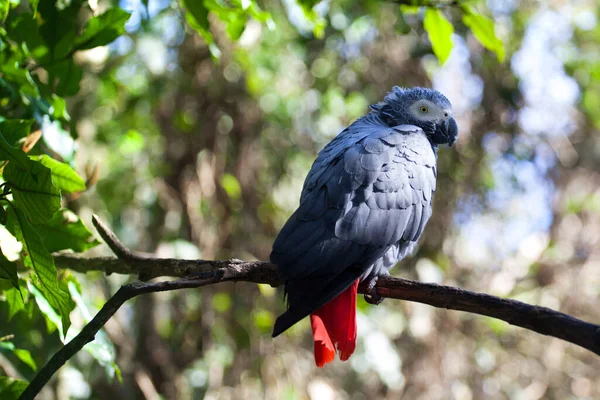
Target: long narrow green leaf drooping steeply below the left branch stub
{"type": "Point", "coordinates": [36, 257]}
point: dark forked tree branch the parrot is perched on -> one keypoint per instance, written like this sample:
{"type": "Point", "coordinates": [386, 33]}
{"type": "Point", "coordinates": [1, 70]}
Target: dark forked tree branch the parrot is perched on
{"type": "Point", "coordinates": [197, 273]}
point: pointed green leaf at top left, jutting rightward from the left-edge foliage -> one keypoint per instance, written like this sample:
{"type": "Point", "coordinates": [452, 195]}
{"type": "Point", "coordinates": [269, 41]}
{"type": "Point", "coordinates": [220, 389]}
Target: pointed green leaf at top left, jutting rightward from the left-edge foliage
{"type": "Point", "coordinates": [103, 29]}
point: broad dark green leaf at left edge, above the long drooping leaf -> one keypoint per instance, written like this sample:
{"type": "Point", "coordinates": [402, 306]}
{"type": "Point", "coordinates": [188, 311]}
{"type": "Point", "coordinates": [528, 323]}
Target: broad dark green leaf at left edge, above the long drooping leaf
{"type": "Point", "coordinates": [33, 192]}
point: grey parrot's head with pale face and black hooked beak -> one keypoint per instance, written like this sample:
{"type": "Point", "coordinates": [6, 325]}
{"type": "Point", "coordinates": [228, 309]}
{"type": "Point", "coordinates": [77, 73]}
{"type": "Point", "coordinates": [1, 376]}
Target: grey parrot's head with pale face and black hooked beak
{"type": "Point", "coordinates": [426, 108]}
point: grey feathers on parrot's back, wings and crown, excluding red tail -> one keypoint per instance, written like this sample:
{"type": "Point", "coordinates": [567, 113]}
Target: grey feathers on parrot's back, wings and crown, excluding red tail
{"type": "Point", "coordinates": [364, 204]}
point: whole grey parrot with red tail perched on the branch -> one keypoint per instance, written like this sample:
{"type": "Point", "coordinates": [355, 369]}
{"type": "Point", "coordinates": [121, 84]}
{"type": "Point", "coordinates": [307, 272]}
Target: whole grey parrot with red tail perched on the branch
{"type": "Point", "coordinates": [363, 206]}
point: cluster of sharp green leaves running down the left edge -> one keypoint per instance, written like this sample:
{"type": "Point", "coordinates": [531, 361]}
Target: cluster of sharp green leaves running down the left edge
{"type": "Point", "coordinates": [37, 69]}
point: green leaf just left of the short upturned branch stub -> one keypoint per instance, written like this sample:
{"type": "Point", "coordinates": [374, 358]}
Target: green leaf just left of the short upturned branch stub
{"type": "Point", "coordinates": [66, 231]}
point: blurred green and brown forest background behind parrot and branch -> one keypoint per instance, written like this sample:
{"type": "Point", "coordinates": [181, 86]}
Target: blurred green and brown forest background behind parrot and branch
{"type": "Point", "coordinates": [202, 139]}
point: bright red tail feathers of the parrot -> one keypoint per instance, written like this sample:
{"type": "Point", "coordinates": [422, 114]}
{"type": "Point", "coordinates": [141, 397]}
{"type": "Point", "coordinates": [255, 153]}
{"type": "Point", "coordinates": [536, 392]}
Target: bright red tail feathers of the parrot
{"type": "Point", "coordinates": [334, 327]}
